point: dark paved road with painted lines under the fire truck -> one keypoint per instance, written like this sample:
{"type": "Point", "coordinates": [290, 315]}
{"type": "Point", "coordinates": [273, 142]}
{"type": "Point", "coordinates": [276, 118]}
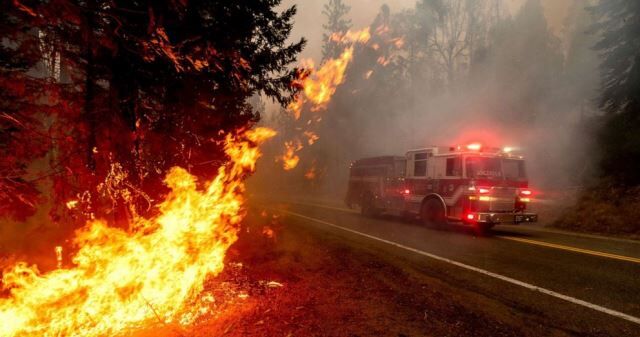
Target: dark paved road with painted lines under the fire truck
{"type": "Point", "coordinates": [584, 284]}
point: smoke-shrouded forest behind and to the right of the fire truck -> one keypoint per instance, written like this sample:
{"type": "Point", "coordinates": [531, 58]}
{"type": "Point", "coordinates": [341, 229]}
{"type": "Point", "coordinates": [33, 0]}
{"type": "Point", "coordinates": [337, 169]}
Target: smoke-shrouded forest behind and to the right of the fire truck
{"type": "Point", "coordinates": [447, 72]}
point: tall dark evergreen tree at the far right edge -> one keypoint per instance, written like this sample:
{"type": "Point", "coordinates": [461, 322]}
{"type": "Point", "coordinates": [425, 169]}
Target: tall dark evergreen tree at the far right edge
{"type": "Point", "coordinates": [619, 45]}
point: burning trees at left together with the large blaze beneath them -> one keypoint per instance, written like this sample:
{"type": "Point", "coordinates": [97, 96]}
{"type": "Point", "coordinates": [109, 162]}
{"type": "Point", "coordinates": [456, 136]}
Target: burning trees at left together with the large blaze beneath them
{"type": "Point", "coordinates": [137, 113]}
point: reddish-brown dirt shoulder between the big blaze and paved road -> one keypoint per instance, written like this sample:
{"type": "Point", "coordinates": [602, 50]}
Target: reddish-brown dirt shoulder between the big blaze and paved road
{"type": "Point", "coordinates": [293, 281]}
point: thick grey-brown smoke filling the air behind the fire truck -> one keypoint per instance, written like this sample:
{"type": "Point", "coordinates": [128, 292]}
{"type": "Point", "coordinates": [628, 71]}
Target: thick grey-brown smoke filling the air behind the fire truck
{"type": "Point", "coordinates": [506, 73]}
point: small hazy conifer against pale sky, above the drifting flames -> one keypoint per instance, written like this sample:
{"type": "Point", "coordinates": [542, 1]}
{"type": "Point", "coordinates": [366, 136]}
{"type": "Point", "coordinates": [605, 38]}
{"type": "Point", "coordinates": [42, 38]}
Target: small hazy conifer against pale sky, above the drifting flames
{"type": "Point", "coordinates": [335, 11]}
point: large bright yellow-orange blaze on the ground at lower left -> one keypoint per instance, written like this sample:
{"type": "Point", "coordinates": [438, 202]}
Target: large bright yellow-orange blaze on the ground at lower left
{"type": "Point", "coordinates": [121, 280]}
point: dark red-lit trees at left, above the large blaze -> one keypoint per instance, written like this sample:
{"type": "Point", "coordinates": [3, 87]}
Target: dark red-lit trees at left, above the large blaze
{"type": "Point", "coordinates": [116, 93]}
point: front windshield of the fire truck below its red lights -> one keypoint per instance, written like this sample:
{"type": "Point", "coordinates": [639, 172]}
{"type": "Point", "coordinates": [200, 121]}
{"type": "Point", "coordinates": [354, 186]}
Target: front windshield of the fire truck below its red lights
{"type": "Point", "coordinates": [495, 168]}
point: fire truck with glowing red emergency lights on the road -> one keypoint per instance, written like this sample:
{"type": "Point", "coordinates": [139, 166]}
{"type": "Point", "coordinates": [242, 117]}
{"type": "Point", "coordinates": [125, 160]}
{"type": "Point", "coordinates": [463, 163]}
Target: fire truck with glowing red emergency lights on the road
{"type": "Point", "coordinates": [472, 184]}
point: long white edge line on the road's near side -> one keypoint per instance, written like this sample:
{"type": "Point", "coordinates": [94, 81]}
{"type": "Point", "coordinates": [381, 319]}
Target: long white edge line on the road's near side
{"type": "Point", "coordinates": [481, 271]}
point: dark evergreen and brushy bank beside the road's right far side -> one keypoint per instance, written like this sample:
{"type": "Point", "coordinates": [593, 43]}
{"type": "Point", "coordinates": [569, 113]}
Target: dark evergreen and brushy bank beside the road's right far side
{"type": "Point", "coordinates": [611, 203]}
